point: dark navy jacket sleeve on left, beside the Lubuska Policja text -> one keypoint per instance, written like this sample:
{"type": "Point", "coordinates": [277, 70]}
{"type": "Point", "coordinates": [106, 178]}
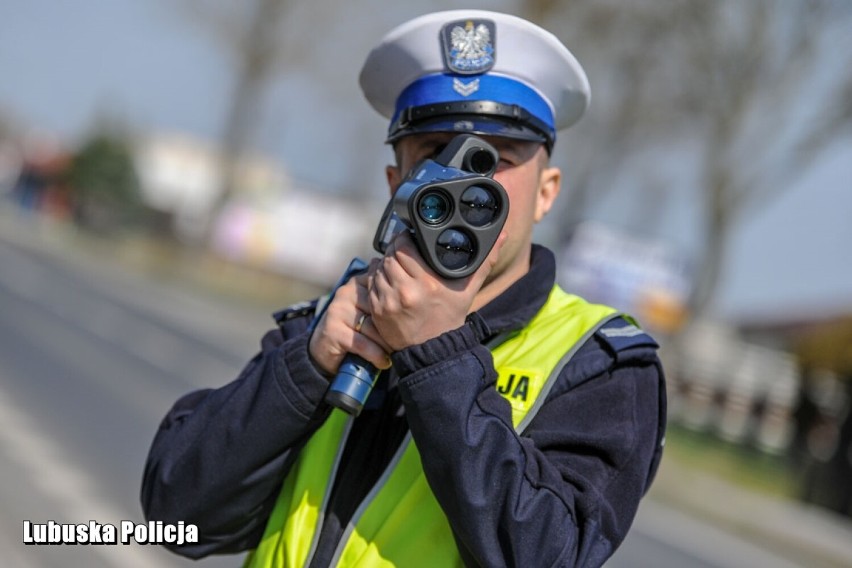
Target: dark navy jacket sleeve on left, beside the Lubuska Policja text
{"type": "Point", "coordinates": [219, 456]}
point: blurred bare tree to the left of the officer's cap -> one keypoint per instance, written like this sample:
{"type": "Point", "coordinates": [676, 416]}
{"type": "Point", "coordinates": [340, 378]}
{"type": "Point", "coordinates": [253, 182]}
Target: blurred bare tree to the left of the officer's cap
{"type": "Point", "coordinates": [266, 39]}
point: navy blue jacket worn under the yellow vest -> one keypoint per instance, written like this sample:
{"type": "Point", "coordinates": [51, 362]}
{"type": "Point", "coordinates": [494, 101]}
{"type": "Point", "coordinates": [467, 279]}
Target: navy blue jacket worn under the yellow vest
{"type": "Point", "coordinates": [563, 494]}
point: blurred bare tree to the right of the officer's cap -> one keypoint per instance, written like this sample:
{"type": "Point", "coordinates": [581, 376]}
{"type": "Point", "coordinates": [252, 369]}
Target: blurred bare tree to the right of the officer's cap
{"type": "Point", "coordinates": [731, 76]}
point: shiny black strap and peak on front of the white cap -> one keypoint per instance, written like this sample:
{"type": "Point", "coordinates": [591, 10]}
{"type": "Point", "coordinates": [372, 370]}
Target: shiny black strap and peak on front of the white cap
{"type": "Point", "coordinates": [410, 116]}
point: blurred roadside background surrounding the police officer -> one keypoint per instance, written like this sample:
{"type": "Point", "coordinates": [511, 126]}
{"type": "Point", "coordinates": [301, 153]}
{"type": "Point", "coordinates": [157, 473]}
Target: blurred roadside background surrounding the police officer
{"type": "Point", "coordinates": [171, 172]}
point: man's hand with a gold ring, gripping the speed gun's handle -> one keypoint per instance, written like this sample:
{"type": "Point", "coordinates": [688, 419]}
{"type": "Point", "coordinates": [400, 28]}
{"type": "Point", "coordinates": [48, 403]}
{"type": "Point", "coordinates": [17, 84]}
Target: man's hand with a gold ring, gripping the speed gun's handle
{"type": "Point", "coordinates": [346, 327]}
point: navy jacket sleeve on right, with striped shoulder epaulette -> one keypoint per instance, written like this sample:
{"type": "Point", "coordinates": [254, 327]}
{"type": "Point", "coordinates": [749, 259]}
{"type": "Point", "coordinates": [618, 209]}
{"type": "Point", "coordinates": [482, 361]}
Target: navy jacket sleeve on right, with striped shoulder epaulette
{"type": "Point", "coordinates": [566, 491]}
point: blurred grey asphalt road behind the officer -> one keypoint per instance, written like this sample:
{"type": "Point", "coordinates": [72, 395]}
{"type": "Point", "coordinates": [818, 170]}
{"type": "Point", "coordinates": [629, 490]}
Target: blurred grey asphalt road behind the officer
{"type": "Point", "coordinates": [91, 357]}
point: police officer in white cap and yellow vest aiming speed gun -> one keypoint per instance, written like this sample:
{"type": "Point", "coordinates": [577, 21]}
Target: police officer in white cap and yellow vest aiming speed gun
{"type": "Point", "coordinates": [512, 424]}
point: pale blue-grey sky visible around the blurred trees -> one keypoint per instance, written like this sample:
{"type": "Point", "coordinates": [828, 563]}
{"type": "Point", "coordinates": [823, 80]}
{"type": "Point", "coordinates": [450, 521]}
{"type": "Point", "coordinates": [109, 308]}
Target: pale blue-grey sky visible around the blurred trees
{"type": "Point", "coordinates": [65, 63]}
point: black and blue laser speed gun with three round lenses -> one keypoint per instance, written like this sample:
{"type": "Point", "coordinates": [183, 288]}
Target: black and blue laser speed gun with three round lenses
{"type": "Point", "coordinates": [455, 213]}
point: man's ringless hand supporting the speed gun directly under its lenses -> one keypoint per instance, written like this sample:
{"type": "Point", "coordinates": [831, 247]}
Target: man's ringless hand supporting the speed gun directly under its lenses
{"type": "Point", "coordinates": [409, 303]}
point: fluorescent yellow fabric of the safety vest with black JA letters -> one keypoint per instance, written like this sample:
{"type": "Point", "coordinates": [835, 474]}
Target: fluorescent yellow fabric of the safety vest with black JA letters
{"type": "Point", "coordinates": [400, 523]}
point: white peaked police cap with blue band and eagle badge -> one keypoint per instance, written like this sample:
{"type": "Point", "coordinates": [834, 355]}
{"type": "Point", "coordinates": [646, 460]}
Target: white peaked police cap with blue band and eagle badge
{"type": "Point", "coordinates": [475, 71]}
